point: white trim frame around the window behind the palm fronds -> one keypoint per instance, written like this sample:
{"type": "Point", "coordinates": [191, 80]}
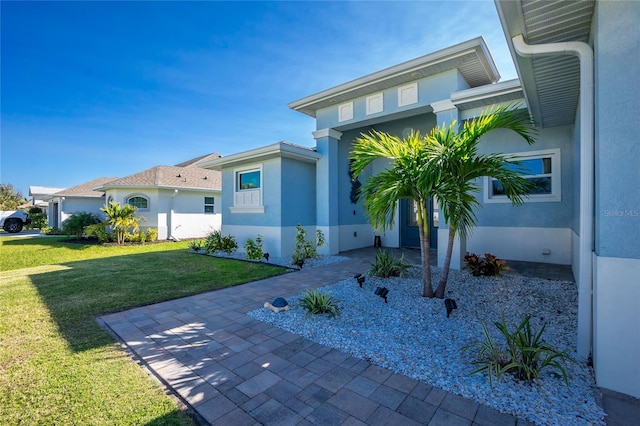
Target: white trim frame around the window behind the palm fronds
{"type": "Point", "coordinates": [556, 178]}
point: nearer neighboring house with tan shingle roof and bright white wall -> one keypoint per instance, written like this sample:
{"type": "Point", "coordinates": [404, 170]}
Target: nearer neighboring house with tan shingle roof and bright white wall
{"type": "Point", "coordinates": [181, 201]}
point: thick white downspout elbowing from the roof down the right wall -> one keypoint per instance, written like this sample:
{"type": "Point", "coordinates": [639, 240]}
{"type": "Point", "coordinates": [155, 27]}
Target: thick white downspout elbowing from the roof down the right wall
{"type": "Point", "coordinates": [586, 248]}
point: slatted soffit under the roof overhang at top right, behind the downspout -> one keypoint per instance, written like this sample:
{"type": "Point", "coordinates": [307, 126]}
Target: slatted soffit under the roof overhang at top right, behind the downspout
{"type": "Point", "coordinates": [551, 84]}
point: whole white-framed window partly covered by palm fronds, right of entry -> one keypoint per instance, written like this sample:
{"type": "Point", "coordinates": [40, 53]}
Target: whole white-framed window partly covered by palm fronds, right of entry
{"type": "Point", "coordinates": [541, 168]}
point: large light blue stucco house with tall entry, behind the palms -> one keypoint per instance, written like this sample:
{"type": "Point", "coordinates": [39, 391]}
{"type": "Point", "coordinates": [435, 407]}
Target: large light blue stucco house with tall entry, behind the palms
{"type": "Point", "coordinates": [578, 71]}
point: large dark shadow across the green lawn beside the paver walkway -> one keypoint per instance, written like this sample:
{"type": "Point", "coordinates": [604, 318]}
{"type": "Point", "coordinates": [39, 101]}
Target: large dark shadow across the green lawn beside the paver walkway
{"type": "Point", "coordinates": [84, 290]}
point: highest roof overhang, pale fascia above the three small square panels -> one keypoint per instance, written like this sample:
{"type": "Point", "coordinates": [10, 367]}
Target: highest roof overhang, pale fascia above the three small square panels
{"type": "Point", "coordinates": [472, 58]}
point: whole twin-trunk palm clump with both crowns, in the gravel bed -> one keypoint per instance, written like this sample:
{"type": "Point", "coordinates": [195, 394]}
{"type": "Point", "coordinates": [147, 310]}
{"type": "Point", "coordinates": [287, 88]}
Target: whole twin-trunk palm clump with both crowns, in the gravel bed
{"type": "Point", "coordinates": [444, 164]}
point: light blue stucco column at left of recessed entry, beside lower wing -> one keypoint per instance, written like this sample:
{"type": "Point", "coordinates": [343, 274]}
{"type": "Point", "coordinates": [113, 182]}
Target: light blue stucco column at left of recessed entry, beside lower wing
{"type": "Point", "coordinates": [327, 189]}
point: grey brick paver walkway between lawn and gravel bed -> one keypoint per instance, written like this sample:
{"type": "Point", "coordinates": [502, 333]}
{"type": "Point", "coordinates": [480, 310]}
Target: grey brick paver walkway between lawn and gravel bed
{"type": "Point", "coordinates": [233, 370]}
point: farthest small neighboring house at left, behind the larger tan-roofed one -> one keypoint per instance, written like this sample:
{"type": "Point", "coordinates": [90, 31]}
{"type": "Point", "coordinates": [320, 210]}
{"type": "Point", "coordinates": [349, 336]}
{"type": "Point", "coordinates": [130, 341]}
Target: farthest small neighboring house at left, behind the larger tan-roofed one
{"type": "Point", "coordinates": [80, 198]}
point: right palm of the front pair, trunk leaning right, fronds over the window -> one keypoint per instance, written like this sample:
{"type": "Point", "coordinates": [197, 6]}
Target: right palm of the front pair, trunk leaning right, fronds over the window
{"type": "Point", "coordinates": [455, 154]}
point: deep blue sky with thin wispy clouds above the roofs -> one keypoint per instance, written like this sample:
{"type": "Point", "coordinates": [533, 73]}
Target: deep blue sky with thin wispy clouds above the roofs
{"type": "Point", "coordinates": [93, 89]}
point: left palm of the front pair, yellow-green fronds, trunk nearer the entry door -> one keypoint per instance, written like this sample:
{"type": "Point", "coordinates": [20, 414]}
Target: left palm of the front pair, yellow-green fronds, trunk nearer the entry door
{"type": "Point", "coordinates": [407, 177]}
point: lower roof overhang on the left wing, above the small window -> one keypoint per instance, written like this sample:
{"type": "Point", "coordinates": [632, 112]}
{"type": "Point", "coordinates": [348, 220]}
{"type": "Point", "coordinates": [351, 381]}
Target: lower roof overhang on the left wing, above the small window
{"type": "Point", "coordinates": [277, 150]}
